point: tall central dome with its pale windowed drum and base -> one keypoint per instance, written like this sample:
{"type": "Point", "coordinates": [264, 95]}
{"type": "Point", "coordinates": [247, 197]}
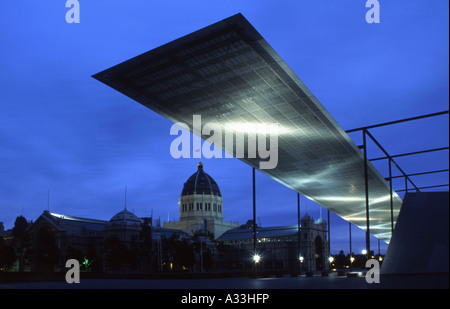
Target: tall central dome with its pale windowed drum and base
{"type": "Point", "coordinates": [201, 206]}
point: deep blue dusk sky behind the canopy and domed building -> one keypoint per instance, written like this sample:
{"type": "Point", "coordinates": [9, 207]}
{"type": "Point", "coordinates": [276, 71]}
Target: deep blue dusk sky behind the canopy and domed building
{"type": "Point", "coordinates": [64, 132]}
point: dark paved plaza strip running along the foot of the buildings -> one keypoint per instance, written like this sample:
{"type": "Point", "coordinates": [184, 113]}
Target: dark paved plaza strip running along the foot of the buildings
{"type": "Point", "coordinates": [286, 283]}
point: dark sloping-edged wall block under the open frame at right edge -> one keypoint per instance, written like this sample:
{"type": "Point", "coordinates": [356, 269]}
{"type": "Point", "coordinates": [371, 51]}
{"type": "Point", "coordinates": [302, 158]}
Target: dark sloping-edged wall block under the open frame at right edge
{"type": "Point", "coordinates": [420, 242]}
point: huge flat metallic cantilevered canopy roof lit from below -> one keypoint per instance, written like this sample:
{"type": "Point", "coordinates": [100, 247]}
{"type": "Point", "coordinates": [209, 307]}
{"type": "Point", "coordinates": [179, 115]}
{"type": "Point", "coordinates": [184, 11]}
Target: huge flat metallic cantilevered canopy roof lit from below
{"type": "Point", "coordinates": [228, 73]}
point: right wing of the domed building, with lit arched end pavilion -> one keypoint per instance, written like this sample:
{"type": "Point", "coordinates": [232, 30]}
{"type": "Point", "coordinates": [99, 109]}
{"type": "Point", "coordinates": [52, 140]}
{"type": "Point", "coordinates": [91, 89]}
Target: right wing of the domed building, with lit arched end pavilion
{"type": "Point", "coordinates": [279, 248]}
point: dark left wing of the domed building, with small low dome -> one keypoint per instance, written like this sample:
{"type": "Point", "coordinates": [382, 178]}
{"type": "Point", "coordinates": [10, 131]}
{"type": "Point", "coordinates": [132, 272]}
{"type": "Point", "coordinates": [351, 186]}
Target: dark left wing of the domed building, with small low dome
{"type": "Point", "coordinates": [55, 238]}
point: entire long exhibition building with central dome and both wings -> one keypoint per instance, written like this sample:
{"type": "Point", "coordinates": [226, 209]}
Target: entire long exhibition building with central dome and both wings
{"type": "Point", "coordinates": [201, 239]}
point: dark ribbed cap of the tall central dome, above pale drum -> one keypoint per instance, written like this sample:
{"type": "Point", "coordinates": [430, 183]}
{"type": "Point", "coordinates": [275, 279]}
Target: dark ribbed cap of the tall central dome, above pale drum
{"type": "Point", "coordinates": [200, 183]}
